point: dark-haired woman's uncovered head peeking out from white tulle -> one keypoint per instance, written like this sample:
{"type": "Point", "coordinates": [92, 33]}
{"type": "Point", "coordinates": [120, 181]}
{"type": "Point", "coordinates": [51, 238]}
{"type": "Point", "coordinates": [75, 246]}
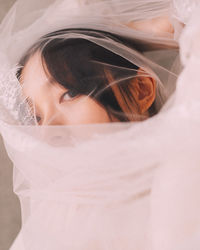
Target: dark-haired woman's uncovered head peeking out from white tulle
{"type": "Point", "coordinates": [70, 81]}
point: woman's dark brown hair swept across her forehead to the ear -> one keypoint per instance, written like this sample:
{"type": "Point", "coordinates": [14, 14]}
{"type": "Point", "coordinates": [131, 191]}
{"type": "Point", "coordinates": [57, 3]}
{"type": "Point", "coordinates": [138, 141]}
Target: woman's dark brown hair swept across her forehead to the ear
{"type": "Point", "coordinates": [80, 66]}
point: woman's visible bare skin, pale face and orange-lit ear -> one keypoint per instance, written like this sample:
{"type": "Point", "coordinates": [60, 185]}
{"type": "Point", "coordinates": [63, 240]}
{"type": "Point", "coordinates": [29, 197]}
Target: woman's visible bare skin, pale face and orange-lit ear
{"type": "Point", "coordinates": [52, 104]}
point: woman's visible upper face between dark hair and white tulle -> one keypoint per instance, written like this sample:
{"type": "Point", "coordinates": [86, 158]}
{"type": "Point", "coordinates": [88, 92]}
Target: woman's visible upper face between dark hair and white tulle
{"type": "Point", "coordinates": [55, 105]}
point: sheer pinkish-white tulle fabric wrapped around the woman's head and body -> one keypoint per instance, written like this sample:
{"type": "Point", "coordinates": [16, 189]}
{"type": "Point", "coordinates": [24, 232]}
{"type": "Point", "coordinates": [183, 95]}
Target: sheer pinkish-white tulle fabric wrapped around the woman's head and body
{"type": "Point", "coordinates": [107, 186]}
